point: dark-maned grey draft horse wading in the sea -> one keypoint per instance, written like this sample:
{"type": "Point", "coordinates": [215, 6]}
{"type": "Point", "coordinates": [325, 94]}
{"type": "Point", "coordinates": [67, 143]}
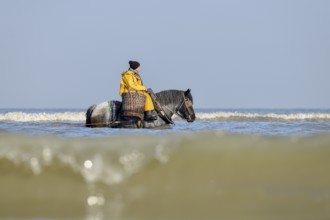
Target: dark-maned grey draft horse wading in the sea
{"type": "Point", "coordinates": [173, 102]}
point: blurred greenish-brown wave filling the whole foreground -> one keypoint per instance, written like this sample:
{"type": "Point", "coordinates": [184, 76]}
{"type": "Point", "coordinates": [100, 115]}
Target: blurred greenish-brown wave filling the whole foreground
{"type": "Point", "coordinates": [164, 177]}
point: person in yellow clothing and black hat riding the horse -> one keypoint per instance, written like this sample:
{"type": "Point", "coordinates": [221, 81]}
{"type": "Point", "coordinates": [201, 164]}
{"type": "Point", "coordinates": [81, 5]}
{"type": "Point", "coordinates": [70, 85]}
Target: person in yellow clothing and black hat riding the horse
{"type": "Point", "coordinates": [131, 80]}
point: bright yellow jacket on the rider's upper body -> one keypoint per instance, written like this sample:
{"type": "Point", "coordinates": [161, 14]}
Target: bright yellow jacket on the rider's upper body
{"type": "Point", "coordinates": [130, 81]}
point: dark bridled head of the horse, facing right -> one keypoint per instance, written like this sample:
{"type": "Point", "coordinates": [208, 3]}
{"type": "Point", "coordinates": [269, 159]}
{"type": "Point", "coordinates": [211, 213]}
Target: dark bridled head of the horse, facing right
{"type": "Point", "coordinates": [185, 110]}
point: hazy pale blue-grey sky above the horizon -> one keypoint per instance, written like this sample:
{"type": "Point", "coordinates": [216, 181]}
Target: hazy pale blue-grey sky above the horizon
{"type": "Point", "coordinates": [232, 54]}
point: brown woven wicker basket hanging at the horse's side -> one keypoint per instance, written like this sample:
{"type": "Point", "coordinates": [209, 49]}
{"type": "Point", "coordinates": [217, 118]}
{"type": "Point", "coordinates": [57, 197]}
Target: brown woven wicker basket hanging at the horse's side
{"type": "Point", "coordinates": [133, 104]}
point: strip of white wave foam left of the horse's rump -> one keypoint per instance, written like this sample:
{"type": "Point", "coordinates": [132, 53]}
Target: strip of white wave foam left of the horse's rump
{"type": "Point", "coordinates": [43, 117]}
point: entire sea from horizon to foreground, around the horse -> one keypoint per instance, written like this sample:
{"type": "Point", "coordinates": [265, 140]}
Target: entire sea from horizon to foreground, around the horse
{"type": "Point", "coordinates": [228, 164]}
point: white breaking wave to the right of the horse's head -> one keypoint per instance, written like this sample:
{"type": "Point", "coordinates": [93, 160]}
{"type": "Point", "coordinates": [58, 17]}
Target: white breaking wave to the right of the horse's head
{"type": "Point", "coordinates": [223, 116]}
